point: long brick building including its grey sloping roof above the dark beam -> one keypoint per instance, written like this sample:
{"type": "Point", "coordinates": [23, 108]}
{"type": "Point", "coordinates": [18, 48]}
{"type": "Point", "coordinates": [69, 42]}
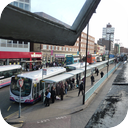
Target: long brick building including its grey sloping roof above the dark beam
{"type": "Point", "coordinates": [58, 53]}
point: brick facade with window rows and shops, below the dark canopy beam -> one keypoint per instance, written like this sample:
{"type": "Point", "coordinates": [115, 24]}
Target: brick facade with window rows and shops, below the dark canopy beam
{"type": "Point", "coordinates": [58, 53]}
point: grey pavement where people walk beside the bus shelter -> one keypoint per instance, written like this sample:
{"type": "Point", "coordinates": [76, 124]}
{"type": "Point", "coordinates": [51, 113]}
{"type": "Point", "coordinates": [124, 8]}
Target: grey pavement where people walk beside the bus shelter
{"type": "Point", "coordinates": [38, 114]}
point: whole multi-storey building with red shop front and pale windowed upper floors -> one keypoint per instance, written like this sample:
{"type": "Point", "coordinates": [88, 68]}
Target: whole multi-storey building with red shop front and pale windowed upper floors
{"type": "Point", "coordinates": [13, 51]}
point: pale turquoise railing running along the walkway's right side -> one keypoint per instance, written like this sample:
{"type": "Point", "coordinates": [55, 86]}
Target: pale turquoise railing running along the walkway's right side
{"type": "Point", "coordinates": [97, 84]}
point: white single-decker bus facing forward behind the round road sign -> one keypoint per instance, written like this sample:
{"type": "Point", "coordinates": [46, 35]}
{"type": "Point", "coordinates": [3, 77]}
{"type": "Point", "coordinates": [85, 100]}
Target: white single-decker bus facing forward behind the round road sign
{"type": "Point", "coordinates": [32, 88]}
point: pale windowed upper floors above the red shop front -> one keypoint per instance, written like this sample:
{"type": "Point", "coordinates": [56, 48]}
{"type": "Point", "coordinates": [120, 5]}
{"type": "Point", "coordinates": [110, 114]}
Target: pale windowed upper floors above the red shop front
{"type": "Point", "coordinates": [14, 45]}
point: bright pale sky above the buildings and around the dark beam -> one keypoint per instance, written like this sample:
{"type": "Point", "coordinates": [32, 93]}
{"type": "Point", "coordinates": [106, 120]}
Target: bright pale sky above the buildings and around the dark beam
{"type": "Point", "coordinates": [114, 12]}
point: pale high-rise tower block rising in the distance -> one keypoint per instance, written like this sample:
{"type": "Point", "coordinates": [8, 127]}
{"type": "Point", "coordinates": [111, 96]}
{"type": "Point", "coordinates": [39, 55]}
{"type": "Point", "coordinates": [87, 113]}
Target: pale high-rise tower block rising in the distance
{"type": "Point", "coordinates": [106, 32]}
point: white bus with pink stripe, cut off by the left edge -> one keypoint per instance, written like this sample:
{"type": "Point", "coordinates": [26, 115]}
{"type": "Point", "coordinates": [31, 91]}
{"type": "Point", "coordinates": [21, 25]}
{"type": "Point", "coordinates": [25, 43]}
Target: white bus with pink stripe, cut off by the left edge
{"type": "Point", "coordinates": [6, 72]}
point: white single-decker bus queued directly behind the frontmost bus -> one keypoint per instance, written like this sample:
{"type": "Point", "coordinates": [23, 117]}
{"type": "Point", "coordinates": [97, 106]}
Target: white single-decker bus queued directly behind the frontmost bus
{"type": "Point", "coordinates": [75, 66]}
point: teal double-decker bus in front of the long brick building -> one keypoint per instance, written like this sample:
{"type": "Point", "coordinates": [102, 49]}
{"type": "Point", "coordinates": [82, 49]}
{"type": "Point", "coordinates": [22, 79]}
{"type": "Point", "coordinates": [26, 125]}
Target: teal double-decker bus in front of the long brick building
{"type": "Point", "coordinates": [72, 59]}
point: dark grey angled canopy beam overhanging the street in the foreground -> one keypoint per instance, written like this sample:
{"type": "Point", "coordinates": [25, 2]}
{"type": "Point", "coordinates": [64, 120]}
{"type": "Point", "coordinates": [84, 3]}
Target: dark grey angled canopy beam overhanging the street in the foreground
{"type": "Point", "coordinates": [21, 25]}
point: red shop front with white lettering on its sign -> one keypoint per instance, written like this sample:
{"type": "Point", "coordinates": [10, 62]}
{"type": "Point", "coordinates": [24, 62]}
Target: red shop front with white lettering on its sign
{"type": "Point", "coordinates": [22, 58]}
